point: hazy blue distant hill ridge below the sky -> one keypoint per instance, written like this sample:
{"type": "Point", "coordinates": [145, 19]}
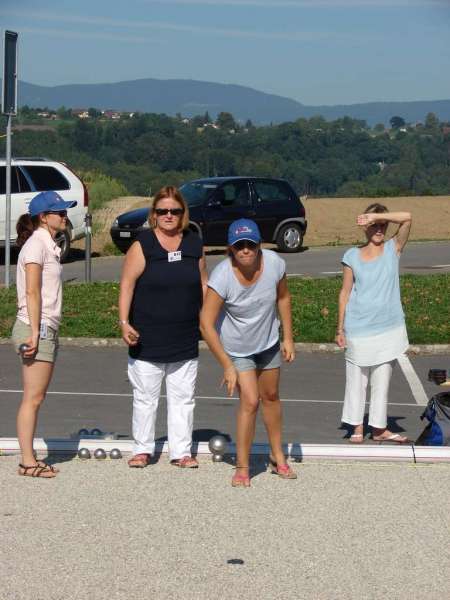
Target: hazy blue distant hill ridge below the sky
{"type": "Point", "coordinates": [190, 98]}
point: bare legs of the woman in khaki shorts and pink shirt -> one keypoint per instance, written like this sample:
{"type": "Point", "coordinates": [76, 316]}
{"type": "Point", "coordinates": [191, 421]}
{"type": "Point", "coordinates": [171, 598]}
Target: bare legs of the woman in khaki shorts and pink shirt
{"type": "Point", "coordinates": [36, 378]}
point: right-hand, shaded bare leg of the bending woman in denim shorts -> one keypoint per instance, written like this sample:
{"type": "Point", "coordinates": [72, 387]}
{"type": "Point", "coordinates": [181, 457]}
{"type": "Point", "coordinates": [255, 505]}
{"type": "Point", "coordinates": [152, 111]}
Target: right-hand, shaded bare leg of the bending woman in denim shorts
{"type": "Point", "coordinates": [268, 381]}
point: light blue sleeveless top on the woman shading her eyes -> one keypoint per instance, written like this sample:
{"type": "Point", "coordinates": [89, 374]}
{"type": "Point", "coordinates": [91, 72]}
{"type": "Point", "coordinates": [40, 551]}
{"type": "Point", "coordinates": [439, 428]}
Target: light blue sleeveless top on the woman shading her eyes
{"type": "Point", "coordinates": [374, 305]}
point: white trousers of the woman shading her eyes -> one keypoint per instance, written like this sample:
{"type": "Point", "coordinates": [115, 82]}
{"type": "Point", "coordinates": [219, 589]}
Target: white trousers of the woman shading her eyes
{"type": "Point", "coordinates": [357, 379]}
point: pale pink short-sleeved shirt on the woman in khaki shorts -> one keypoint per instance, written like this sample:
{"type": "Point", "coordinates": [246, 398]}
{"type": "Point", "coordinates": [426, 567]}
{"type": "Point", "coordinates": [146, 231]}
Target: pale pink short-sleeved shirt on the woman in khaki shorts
{"type": "Point", "coordinates": [41, 249]}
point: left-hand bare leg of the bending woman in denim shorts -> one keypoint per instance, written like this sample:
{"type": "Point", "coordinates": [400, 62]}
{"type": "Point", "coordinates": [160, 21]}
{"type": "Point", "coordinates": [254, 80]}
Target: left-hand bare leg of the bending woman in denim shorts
{"type": "Point", "coordinates": [246, 418]}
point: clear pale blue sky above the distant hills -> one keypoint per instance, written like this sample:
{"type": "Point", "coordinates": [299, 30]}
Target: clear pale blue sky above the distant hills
{"type": "Point", "coordinates": [315, 51]}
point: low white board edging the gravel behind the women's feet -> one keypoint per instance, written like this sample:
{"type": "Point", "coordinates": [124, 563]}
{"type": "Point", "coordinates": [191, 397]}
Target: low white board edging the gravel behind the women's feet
{"type": "Point", "coordinates": [380, 452]}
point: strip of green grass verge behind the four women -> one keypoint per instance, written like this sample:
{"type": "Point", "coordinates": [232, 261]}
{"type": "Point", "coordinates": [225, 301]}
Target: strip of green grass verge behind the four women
{"type": "Point", "coordinates": [90, 310]}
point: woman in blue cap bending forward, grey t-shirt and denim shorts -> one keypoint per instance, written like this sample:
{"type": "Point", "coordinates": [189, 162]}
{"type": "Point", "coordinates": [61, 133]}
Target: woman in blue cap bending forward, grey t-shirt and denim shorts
{"type": "Point", "coordinates": [246, 293]}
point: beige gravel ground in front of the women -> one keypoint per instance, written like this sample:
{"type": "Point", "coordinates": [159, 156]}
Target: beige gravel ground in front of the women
{"type": "Point", "coordinates": [101, 531]}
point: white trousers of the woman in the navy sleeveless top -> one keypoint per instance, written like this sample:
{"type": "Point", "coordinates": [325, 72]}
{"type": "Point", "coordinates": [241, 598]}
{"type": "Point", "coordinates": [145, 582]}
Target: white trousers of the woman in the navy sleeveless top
{"type": "Point", "coordinates": [146, 379]}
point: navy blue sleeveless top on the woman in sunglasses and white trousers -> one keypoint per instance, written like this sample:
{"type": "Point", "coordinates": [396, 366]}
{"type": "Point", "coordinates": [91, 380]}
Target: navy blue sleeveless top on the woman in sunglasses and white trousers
{"type": "Point", "coordinates": [167, 301]}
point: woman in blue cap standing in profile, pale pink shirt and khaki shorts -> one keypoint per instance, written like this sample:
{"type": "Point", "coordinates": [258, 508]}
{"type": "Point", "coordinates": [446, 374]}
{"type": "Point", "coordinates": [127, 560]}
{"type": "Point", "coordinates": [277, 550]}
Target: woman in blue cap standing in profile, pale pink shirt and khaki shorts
{"type": "Point", "coordinates": [39, 300]}
